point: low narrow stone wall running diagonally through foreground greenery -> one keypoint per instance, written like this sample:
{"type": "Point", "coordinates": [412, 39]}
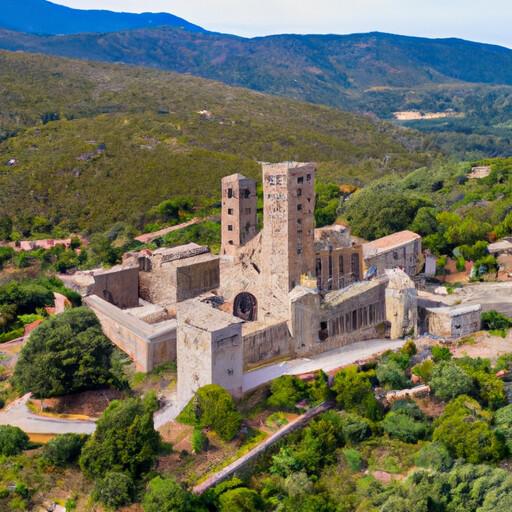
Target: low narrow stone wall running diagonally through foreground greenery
{"type": "Point", "coordinates": [243, 462]}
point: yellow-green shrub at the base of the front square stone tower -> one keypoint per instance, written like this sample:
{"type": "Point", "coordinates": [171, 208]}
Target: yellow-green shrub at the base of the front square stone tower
{"type": "Point", "coordinates": [213, 407]}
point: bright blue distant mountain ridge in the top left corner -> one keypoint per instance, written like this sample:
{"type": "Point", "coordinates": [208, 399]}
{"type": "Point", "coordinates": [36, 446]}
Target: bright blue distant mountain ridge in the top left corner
{"type": "Point", "coordinates": [42, 17]}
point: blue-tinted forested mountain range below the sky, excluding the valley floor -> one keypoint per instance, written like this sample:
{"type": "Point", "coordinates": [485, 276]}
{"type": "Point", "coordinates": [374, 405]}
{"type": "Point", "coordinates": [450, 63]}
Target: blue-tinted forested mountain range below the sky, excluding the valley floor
{"type": "Point", "coordinates": [320, 69]}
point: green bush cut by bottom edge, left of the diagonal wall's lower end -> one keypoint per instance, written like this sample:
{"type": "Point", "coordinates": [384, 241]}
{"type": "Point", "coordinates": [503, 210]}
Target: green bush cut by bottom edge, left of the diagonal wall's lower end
{"type": "Point", "coordinates": [166, 495]}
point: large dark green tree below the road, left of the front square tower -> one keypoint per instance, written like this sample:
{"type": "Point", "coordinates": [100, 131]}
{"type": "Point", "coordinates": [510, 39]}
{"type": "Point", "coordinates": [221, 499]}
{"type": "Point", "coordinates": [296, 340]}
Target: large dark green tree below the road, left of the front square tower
{"type": "Point", "coordinates": [125, 440]}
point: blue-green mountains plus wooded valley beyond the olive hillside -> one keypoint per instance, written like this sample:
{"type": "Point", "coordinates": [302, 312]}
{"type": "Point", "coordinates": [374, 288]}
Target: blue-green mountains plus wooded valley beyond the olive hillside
{"type": "Point", "coordinates": [467, 84]}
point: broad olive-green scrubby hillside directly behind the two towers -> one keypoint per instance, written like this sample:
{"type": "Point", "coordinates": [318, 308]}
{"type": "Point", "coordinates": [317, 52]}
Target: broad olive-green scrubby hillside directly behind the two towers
{"type": "Point", "coordinates": [95, 143]}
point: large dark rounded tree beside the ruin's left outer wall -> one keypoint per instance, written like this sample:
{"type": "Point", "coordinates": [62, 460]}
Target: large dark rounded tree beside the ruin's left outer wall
{"type": "Point", "coordinates": [65, 354]}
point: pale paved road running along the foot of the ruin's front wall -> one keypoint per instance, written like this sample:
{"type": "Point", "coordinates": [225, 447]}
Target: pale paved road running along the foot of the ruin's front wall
{"type": "Point", "coordinates": [327, 362]}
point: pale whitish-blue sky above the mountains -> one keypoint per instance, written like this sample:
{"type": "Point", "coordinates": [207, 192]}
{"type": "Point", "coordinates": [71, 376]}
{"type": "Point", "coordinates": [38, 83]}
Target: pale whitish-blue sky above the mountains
{"type": "Point", "coordinates": [486, 21]}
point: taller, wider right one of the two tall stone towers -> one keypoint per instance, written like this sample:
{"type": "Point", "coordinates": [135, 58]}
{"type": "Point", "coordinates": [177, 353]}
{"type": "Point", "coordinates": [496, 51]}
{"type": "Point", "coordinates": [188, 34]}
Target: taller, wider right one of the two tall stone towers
{"type": "Point", "coordinates": [289, 224]}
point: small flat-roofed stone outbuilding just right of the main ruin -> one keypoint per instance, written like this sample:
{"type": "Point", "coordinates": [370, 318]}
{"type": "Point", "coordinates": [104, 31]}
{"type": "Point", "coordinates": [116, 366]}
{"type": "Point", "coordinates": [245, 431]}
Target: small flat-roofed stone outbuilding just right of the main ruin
{"type": "Point", "coordinates": [454, 322]}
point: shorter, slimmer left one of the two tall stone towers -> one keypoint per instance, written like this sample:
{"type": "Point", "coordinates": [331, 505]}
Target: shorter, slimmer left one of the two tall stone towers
{"type": "Point", "coordinates": [239, 212]}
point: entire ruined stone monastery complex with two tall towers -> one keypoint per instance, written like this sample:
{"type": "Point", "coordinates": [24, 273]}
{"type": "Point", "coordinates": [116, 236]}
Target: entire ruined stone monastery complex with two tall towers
{"type": "Point", "coordinates": [286, 290]}
